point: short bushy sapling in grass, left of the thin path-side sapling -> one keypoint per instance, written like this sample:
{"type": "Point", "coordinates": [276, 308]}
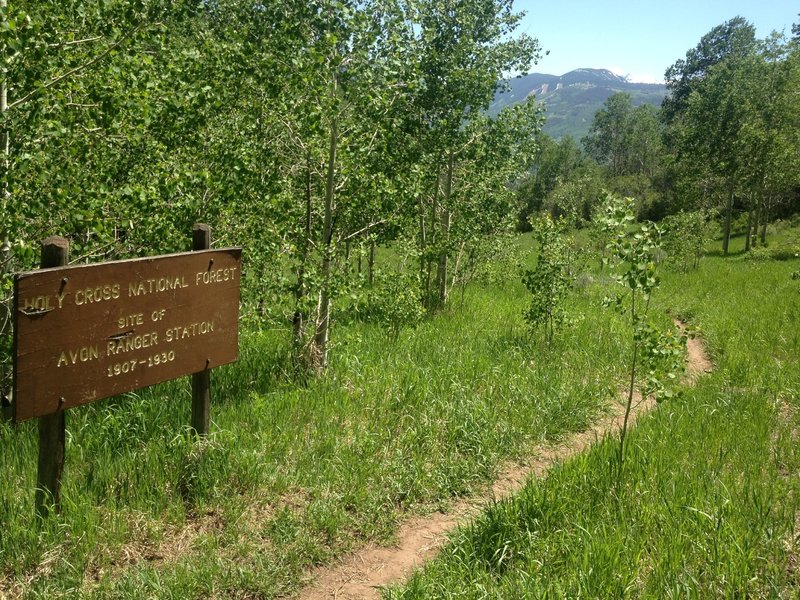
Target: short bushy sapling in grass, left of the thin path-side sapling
{"type": "Point", "coordinates": [551, 279]}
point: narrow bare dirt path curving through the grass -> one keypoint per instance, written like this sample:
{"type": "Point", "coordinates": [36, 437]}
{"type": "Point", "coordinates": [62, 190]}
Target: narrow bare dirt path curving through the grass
{"type": "Point", "coordinates": [361, 576]}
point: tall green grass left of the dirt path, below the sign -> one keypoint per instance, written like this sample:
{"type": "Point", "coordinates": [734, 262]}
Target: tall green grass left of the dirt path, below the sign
{"type": "Point", "coordinates": [293, 476]}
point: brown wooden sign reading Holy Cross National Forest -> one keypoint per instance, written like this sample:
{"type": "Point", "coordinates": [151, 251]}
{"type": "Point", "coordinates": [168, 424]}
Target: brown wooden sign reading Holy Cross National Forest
{"type": "Point", "coordinates": [88, 332]}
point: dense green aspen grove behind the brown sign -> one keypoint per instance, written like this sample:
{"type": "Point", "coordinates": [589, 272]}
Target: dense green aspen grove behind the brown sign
{"type": "Point", "coordinates": [293, 130]}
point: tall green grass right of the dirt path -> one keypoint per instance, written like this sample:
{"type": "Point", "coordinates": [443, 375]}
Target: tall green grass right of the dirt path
{"type": "Point", "coordinates": [709, 504]}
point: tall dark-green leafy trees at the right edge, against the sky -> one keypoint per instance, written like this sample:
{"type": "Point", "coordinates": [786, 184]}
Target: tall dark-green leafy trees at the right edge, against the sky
{"type": "Point", "coordinates": [732, 117]}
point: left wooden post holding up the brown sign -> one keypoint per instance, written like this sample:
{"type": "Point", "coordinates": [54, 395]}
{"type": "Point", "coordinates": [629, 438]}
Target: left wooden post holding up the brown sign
{"type": "Point", "coordinates": [52, 428]}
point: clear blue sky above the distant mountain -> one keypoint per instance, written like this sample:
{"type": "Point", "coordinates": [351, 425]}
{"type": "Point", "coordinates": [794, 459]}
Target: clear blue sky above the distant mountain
{"type": "Point", "coordinates": [639, 39]}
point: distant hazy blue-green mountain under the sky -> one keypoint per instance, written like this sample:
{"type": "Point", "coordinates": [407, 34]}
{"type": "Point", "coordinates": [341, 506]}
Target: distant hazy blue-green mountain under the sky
{"type": "Point", "coordinates": [572, 99]}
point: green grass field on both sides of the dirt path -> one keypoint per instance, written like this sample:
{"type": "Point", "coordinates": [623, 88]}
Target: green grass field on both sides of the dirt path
{"type": "Point", "coordinates": [294, 476]}
